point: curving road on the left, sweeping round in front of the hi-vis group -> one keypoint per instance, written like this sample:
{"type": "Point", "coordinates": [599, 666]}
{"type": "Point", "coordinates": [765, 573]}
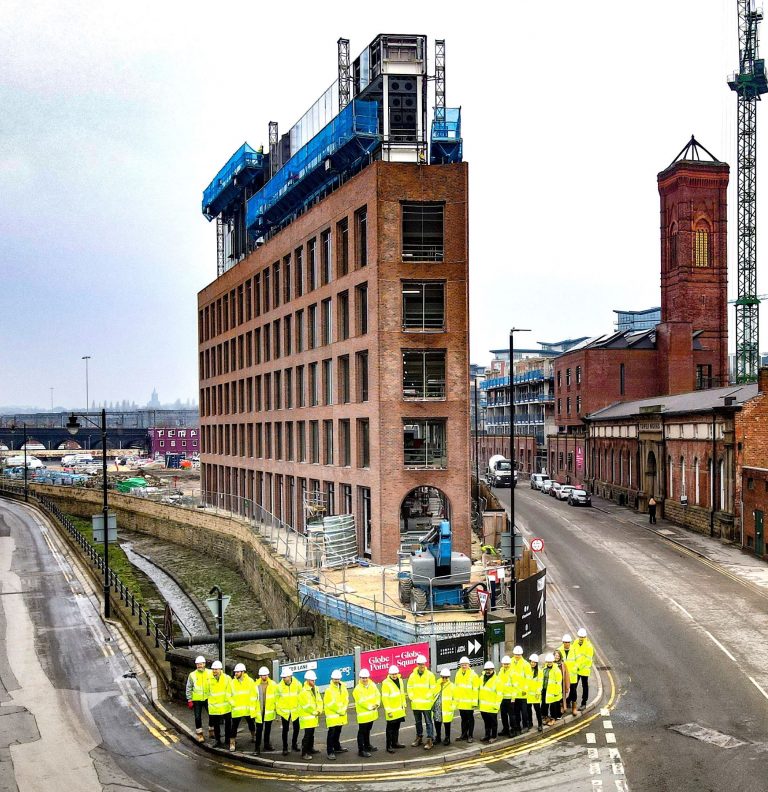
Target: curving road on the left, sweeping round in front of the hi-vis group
{"type": "Point", "coordinates": [71, 719]}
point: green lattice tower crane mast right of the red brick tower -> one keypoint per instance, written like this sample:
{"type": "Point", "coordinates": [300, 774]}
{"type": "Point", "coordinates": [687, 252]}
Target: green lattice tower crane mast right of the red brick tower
{"type": "Point", "coordinates": [749, 83]}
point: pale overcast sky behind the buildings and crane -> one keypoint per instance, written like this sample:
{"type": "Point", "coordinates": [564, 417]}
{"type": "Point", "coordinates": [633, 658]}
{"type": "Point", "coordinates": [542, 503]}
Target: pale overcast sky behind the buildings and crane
{"type": "Point", "coordinates": [115, 117]}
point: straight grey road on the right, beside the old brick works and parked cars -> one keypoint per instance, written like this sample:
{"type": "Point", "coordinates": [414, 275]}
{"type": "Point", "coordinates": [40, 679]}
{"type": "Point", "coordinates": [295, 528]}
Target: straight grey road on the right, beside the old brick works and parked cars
{"type": "Point", "coordinates": [686, 642]}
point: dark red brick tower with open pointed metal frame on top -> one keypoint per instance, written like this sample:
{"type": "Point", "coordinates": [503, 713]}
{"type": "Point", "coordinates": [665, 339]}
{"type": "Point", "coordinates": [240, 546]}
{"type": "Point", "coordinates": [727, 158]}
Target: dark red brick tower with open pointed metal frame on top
{"type": "Point", "coordinates": [694, 270]}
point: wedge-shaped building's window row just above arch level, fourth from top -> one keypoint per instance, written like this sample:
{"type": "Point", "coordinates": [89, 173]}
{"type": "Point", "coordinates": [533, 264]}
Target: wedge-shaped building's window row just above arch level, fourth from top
{"type": "Point", "coordinates": [327, 442]}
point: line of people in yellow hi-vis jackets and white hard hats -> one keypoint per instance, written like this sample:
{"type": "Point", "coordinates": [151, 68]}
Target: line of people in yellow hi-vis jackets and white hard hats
{"type": "Point", "coordinates": [516, 691]}
